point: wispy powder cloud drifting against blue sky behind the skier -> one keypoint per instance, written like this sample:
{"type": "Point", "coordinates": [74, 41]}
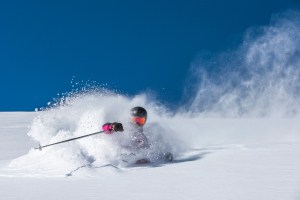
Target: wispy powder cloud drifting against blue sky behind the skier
{"type": "Point", "coordinates": [261, 78]}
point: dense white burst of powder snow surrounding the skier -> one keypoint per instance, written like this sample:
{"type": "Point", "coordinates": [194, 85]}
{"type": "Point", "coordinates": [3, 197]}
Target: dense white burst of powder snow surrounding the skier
{"type": "Point", "coordinates": [85, 112]}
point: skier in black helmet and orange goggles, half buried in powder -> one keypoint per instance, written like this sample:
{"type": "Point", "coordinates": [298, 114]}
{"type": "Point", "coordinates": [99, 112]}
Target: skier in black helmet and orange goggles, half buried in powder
{"type": "Point", "coordinates": [138, 139]}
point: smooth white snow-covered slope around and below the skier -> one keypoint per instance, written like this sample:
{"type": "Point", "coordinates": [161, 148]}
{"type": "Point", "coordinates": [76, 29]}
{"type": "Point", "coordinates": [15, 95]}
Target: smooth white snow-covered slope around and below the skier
{"type": "Point", "coordinates": [243, 169]}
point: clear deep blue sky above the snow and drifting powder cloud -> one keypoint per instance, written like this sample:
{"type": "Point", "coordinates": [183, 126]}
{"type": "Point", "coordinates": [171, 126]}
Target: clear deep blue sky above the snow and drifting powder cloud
{"type": "Point", "coordinates": [133, 46]}
